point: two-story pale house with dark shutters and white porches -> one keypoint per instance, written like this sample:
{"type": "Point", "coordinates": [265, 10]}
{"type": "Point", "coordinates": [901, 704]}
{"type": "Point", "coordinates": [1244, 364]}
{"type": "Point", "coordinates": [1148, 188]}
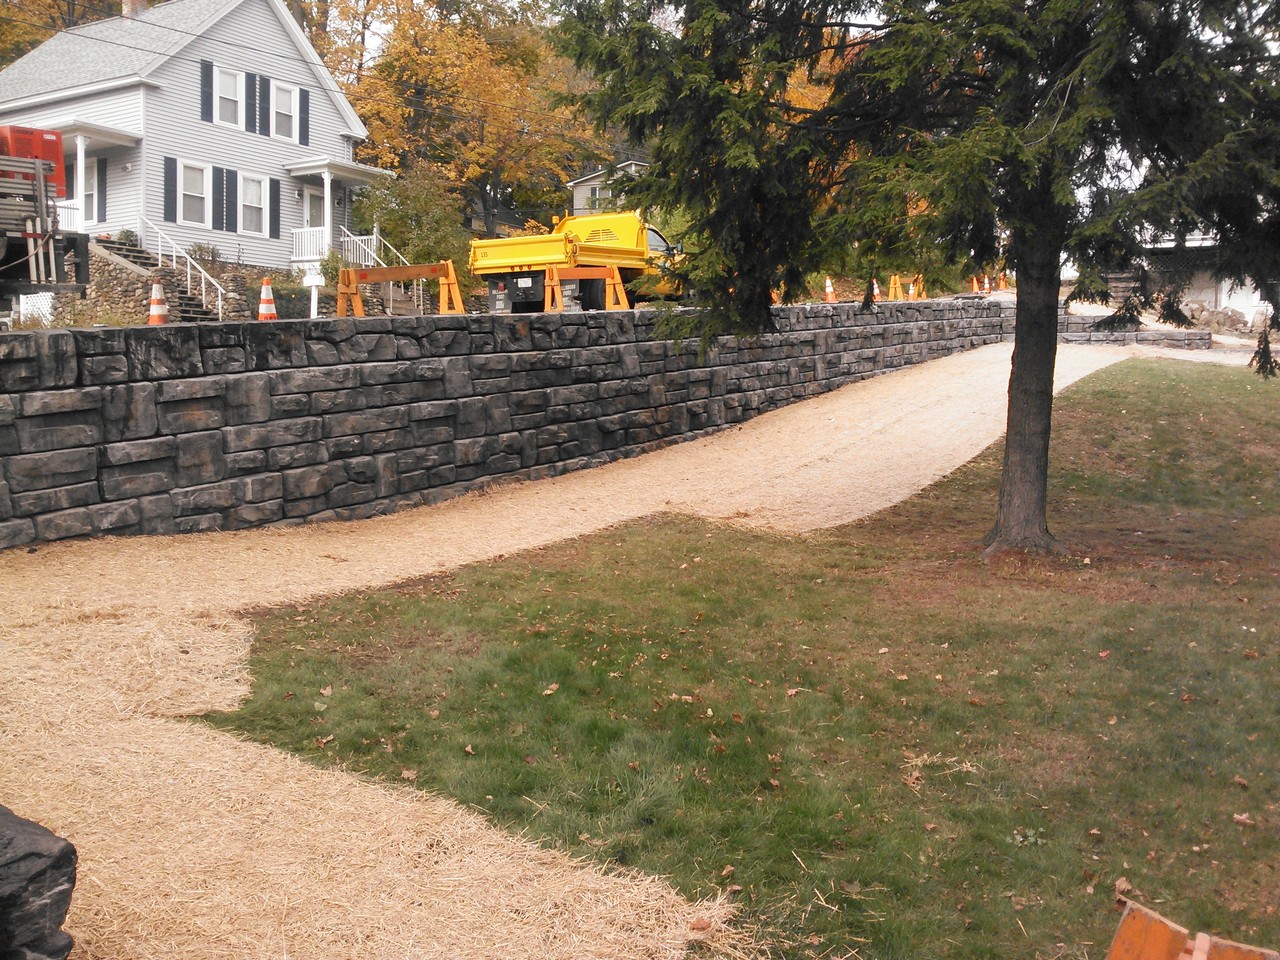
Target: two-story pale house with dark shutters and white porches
{"type": "Point", "coordinates": [208, 122]}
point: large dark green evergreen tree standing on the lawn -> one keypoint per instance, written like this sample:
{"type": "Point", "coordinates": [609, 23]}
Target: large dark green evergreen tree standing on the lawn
{"type": "Point", "coordinates": [1027, 130]}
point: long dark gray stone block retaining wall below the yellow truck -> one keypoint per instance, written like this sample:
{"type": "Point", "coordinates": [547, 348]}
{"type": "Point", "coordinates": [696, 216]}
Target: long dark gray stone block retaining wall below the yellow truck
{"type": "Point", "coordinates": [220, 427]}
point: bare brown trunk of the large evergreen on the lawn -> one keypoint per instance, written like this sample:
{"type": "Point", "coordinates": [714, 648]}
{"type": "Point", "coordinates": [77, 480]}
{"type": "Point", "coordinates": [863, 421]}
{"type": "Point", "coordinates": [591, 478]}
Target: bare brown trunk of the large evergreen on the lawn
{"type": "Point", "coordinates": [1022, 522]}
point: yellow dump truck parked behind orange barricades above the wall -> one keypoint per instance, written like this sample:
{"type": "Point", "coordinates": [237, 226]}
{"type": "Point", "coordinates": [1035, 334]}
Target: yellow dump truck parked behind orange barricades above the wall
{"type": "Point", "coordinates": [582, 260]}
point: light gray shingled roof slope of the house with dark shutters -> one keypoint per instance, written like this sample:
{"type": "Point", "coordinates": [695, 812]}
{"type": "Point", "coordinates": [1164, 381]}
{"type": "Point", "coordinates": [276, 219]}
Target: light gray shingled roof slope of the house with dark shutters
{"type": "Point", "coordinates": [108, 51]}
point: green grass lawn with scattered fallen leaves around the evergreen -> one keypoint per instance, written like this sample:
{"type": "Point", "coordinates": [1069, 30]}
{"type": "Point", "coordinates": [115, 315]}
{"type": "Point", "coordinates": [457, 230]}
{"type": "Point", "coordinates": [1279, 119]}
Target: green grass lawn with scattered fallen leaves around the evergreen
{"type": "Point", "coordinates": [881, 744]}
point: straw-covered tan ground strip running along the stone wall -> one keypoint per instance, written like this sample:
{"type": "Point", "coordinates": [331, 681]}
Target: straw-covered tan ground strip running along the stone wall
{"type": "Point", "coordinates": [195, 845]}
